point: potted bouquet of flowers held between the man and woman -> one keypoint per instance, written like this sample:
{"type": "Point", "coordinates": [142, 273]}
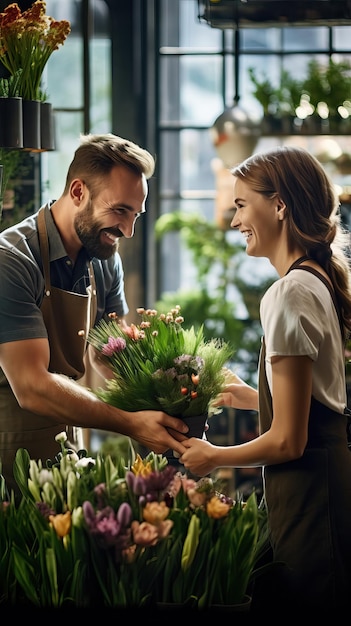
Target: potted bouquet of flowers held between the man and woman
{"type": "Point", "coordinates": [160, 365]}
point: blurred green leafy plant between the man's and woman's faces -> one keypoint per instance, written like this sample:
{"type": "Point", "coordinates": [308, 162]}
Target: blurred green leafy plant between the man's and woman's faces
{"type": "Point", "coordinates": [218, 260]}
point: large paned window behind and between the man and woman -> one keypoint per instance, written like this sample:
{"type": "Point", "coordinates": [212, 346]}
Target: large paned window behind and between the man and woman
{"type": "Point", "coordinates": [197, 80]}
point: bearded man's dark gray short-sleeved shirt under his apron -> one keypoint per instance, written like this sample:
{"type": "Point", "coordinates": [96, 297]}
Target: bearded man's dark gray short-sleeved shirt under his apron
{"type": "Point", "coordinates": [22, 280]}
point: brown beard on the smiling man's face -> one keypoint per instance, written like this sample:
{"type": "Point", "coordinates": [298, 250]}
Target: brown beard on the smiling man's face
{"type": "Point", "coordinates": [89, 232]}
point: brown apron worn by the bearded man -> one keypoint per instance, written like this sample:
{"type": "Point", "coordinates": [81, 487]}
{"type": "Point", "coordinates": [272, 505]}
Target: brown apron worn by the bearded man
{"type": "Point", "coordinates": [68, 317]}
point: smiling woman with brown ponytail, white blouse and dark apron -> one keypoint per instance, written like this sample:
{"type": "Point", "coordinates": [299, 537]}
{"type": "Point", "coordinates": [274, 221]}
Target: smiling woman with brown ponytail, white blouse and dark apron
{"type": "Point", "coordinates": [287, 211]}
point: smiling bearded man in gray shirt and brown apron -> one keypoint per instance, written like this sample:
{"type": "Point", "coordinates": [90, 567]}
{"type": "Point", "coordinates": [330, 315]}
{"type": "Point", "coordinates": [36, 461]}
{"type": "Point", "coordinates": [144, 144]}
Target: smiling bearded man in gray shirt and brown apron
{"type": "Point", "coordinates": [60, 273]}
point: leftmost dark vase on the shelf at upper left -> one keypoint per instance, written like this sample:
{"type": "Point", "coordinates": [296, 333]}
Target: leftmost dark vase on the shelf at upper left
{"type": "Point", "coordinates": [11, 128]}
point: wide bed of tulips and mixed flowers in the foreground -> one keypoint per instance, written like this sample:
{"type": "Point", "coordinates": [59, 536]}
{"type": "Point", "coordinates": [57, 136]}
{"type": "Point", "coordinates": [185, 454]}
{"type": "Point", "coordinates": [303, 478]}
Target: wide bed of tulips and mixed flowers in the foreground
{"type": "Point", "coordinates": [88, 531]}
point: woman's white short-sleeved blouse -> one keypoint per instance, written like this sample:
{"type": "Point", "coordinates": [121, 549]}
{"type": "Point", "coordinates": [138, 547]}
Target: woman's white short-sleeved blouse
{"type": "Point", "coordinates": [298, 318]}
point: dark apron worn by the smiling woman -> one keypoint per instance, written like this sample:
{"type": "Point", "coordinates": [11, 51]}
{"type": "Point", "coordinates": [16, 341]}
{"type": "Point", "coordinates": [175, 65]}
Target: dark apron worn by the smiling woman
{"type": "Point", "coordinates": [309, 509]}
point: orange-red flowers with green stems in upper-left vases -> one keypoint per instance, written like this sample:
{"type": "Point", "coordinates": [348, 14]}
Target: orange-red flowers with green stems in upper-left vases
{"type": "Point", "coordinates": [27, 41]}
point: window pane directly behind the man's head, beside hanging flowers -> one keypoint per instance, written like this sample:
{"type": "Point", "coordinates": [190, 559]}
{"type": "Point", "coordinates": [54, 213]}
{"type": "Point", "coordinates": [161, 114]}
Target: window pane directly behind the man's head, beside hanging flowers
{"type": "Point", "coordinates": [78, 82]}
